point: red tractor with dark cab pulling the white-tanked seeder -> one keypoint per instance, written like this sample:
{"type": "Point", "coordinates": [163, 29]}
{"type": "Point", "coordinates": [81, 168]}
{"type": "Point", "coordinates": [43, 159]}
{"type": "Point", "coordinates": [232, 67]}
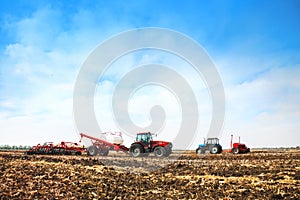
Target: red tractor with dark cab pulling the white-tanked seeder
{"type": "Point", "coordinates": [144, 144]}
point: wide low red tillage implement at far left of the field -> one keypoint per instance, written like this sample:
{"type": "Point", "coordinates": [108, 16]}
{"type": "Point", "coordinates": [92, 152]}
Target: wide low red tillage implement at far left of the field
{"type": "Point", "coordinates": [63, 148]}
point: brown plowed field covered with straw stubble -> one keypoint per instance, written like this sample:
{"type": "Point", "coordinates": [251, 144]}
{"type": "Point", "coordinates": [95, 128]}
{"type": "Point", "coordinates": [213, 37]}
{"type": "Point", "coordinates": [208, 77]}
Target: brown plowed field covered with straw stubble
{"type": "Point", "coordinates": [257, 175]}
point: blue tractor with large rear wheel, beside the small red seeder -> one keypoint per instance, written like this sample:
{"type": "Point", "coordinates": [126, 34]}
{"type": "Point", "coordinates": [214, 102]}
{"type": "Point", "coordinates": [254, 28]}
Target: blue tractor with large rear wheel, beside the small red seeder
{"type": "Point", "coordinates": [210, 144]}
